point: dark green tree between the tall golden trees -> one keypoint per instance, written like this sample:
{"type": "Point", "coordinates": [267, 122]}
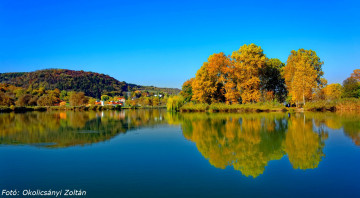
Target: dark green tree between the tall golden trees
{"type": "Point", "coordinates": [272, 82]}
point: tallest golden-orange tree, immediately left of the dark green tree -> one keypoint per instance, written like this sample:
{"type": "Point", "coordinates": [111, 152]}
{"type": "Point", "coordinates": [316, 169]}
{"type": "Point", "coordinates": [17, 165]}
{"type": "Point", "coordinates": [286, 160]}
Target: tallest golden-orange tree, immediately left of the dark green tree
{"type": "Point", "coordinates": [248, 61]}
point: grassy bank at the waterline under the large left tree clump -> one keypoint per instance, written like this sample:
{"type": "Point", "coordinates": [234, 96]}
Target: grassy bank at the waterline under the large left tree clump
{"type": "Point", "coordinates": [221, 107]}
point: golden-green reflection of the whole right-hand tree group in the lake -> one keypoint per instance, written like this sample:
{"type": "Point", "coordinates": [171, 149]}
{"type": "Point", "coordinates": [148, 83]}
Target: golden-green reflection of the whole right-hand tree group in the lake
{"type": "Point", "coordinates": [247, 142]}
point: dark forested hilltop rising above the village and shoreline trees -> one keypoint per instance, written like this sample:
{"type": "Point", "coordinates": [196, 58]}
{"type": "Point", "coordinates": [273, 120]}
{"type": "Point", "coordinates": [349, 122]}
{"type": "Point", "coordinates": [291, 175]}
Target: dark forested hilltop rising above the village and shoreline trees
{"type": "Point", "coordinates": [91, 83]}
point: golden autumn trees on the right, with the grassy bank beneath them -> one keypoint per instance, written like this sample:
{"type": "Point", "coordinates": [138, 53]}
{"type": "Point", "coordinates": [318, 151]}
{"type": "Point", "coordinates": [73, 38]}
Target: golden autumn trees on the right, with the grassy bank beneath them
{"type": "Point", "coordinates": [247, 80]}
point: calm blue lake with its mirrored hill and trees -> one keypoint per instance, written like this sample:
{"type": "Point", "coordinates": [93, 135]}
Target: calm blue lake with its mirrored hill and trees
{"type": "Point", "coordinates": [154, 153]}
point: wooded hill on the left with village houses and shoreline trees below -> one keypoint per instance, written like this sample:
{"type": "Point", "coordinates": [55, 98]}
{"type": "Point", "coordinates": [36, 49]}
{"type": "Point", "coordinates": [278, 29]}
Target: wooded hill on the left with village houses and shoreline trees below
{"type": "Point", "coordinates": [60, 89]}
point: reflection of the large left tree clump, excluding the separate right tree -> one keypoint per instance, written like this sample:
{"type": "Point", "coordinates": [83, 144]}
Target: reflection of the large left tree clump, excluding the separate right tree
{"type": "Point", "coordinates": [246, 142]}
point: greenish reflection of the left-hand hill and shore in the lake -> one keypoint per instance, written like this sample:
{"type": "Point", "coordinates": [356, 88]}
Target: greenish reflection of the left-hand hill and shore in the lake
{"type": "Point", "coordinates": [63, 129]}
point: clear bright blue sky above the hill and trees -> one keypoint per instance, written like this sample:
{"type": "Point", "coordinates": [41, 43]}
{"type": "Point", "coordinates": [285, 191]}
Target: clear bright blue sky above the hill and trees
{"type": "Point", "coordinates": [164, 43]}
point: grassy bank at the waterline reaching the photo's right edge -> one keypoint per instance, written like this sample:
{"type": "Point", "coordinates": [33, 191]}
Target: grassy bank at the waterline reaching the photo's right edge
{"type": "Point", "coordinates": [346, 104]}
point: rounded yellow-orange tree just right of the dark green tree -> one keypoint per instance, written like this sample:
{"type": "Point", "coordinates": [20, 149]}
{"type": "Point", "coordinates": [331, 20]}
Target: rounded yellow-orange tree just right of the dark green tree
{"type": "Point", "coordinates": [302, 73]}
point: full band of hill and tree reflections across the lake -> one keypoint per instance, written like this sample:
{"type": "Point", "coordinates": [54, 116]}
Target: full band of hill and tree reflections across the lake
{"type": "Point", "coordinates": [245, 142]}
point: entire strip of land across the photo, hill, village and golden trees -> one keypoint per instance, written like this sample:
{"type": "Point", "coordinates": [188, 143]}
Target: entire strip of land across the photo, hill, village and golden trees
{"type": "Point", "coordinates": [246, 80]}
